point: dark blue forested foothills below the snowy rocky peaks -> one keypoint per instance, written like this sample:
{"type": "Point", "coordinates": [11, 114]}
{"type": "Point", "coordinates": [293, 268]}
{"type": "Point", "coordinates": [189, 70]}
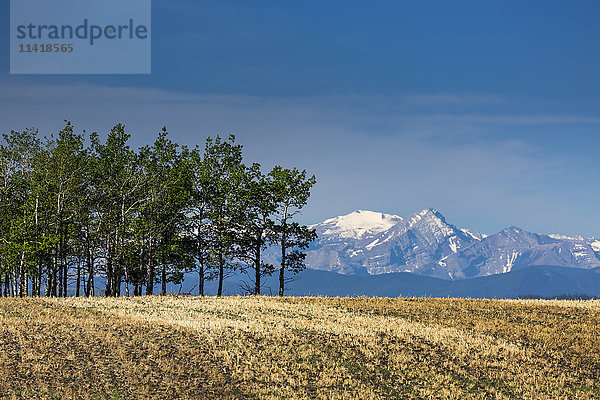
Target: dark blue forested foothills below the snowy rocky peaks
{"type": "Point", "coordinates": [538, 281]}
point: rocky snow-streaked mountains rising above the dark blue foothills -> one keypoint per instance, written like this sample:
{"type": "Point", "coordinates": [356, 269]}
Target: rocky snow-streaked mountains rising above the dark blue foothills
{"type": "Point", "coordinates": [366, 242]}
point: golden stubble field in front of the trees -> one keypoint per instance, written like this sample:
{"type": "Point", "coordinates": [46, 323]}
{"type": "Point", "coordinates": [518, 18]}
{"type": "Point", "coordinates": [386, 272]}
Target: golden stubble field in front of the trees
{"type": "Point", "coordinates": [262, 347]}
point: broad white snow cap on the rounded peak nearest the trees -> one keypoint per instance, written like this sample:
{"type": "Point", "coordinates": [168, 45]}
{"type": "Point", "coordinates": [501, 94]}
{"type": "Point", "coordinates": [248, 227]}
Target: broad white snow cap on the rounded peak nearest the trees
{"type": "Point", "coordinates": [358, 223]}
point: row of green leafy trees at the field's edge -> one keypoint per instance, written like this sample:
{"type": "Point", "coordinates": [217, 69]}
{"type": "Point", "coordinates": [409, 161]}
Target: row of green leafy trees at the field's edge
{"type": "Point", "coordinates": [73, 208]}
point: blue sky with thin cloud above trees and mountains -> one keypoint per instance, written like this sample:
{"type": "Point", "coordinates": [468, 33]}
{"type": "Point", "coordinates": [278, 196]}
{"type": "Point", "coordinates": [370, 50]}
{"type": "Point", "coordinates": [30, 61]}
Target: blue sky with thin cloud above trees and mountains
{"type": "Point", "coordinates": [488, 111]}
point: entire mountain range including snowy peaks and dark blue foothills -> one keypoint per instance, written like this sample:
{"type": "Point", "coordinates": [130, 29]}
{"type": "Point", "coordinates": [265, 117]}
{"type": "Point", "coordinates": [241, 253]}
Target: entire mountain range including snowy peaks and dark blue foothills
{"type": "Point", "coordinates": [367, 253]}
